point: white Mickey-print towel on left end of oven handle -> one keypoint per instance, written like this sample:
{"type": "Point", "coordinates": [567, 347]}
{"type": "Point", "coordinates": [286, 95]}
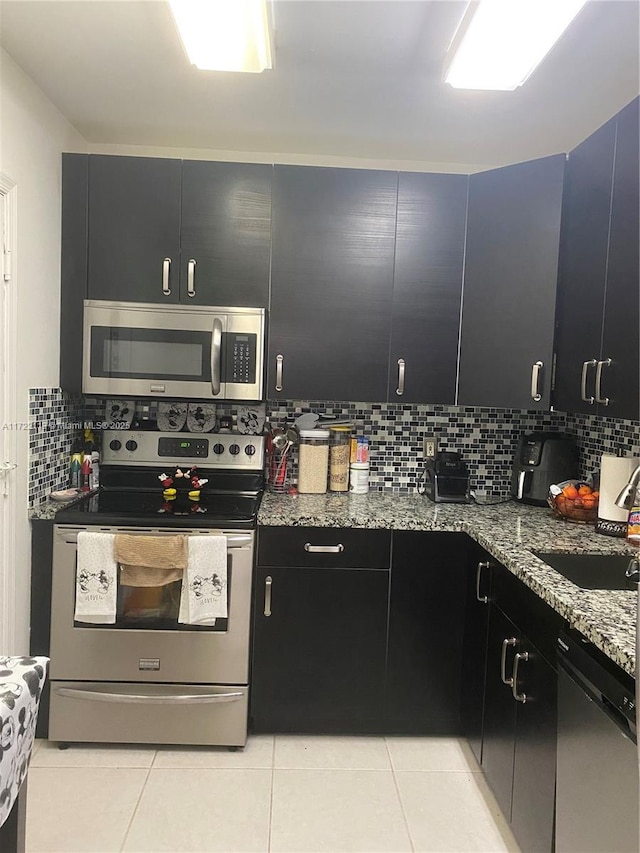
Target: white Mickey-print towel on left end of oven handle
{"type": "Point", "coordinates": [96, 578]}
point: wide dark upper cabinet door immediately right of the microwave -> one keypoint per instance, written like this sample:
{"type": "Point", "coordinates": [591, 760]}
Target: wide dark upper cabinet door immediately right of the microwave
{"type": "Point", "coordinates": [331, 283]}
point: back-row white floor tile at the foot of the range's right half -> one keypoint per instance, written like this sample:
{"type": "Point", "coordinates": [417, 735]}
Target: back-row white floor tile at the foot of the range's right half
{"type": "Point", "coordinates": [258, 753]}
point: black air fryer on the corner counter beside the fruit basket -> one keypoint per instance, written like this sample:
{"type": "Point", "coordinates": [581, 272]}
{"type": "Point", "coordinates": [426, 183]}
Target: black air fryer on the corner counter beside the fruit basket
{"type": "Point", "coordinates": [542, 458]}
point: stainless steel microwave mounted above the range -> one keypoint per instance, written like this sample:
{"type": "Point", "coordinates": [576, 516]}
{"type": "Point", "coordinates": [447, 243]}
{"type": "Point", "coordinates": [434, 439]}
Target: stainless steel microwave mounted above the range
{"type": "Point", "coordinates": [193, 351]}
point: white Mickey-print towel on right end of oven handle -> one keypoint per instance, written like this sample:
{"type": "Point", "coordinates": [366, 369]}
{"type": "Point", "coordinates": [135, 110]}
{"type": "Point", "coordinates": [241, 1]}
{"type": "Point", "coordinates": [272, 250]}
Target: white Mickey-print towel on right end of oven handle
{"type": "Point", "coordinates": [204, 584]}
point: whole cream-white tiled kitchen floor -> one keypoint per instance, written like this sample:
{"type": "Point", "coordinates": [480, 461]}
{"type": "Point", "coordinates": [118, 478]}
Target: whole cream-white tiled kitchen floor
{"type": "Point", "coordinates": [283, 793]}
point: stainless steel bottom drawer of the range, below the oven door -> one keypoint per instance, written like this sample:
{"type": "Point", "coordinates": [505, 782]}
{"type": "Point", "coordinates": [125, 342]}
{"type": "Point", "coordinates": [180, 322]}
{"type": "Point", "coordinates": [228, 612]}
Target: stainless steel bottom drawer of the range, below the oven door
{"type": "Point", "coordinates": [148, 713]}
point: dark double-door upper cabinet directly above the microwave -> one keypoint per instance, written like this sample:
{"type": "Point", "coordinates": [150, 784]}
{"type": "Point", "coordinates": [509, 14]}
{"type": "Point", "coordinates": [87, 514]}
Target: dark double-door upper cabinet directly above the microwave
{"type": "Point", "coordinates": [179, 231]}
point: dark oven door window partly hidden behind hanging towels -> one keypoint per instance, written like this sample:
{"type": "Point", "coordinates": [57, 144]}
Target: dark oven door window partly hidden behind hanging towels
{"type": "Point", "coordinates": [155, 608]}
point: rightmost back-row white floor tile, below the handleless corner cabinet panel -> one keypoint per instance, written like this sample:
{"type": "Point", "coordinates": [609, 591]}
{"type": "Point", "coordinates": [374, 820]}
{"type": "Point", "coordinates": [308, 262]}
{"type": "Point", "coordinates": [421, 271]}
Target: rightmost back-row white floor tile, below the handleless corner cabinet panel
{"type": "Point", "coordinates": [447, 754]}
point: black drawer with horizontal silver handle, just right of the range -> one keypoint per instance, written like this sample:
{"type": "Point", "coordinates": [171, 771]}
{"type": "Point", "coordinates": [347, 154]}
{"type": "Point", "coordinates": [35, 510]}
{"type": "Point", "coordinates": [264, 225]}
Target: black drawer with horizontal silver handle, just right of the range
{"type": "Point", "coordinates": [330, 547]}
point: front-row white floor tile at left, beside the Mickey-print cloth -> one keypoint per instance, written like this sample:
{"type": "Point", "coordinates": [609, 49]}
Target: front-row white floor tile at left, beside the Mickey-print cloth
{"type": "Point", "coordinates": [80, 809]}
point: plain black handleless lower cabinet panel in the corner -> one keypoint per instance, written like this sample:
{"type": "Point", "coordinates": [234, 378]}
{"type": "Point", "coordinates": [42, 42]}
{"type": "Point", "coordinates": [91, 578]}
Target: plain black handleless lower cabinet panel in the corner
{"type": "Point", "coordinates": [426, 625]}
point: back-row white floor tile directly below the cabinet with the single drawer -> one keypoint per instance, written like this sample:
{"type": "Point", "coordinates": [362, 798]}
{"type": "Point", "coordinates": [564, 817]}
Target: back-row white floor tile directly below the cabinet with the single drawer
{"type": "Point", "coordinates": [301, 752]}
